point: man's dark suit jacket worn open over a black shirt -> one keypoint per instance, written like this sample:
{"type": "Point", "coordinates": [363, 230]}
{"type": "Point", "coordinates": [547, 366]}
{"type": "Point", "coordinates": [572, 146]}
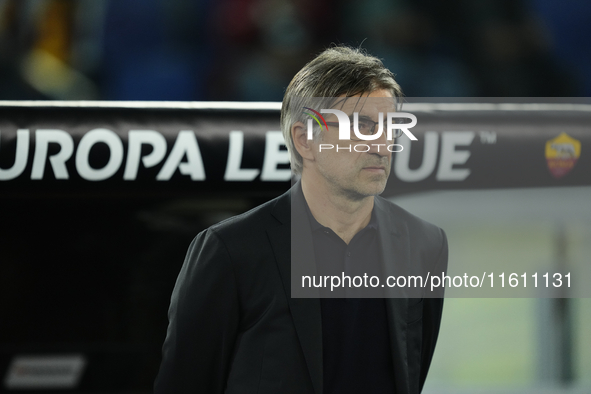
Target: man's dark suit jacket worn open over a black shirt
{"type": "Point", "coordinates": [234, 328]}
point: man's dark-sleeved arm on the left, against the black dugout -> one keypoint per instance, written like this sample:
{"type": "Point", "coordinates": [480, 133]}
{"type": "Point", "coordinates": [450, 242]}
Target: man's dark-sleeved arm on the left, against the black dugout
{"type": "Point", "coordinates": [203, 321]}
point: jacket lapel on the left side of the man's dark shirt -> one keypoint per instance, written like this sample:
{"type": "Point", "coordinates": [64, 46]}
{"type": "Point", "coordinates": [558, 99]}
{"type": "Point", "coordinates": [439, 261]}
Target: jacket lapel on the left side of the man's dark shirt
{"type": "Point", "coordinates": [305, 312]}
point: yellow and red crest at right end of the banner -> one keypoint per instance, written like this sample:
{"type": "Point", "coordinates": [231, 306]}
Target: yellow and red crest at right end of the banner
{"type": "Point", "coordinates": [562, 154]}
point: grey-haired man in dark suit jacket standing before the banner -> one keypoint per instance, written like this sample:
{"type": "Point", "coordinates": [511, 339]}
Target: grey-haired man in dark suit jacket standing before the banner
{"type": "Point", "coordinates": [234, 325]}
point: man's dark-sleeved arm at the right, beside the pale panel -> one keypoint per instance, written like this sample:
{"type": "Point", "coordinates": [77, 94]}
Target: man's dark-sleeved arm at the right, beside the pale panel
{"type": "Point", "coordinates": [432, 312]}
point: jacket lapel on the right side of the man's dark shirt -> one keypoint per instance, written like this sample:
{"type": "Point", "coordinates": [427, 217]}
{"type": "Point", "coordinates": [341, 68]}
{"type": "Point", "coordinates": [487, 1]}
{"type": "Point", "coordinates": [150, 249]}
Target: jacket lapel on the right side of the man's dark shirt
{"type": "Point", "coordinates": [395, 248]}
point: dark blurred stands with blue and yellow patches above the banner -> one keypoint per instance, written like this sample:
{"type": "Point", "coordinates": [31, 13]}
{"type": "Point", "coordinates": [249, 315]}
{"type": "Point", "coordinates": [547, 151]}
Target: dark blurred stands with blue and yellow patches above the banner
{"type": "Point", "coordinates": [250, 49]}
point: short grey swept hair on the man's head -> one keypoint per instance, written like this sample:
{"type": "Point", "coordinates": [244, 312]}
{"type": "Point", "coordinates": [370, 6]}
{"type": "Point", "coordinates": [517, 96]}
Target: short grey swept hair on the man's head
{"type": "Point", "coordinates": [338, 71]}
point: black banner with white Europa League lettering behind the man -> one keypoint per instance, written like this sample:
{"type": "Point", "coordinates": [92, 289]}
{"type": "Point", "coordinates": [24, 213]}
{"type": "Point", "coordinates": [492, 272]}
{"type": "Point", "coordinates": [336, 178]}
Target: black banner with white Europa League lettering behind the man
{"type": "Point", "coordinates": [215, 148]}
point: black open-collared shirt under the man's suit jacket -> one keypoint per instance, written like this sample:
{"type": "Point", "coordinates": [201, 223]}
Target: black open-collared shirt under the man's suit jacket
{"type": "Point", "coordinates": [355, 338]}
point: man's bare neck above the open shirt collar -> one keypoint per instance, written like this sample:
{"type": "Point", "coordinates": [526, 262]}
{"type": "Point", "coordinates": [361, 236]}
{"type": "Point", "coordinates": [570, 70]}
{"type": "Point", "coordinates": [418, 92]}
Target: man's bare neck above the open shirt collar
{"type": "Point", "coordinates": [341, 213]}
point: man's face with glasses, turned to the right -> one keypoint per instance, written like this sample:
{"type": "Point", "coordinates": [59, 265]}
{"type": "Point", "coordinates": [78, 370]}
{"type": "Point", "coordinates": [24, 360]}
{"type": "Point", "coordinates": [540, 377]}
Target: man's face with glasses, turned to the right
{"type": "Point", "coordinates": [362, 173]}
